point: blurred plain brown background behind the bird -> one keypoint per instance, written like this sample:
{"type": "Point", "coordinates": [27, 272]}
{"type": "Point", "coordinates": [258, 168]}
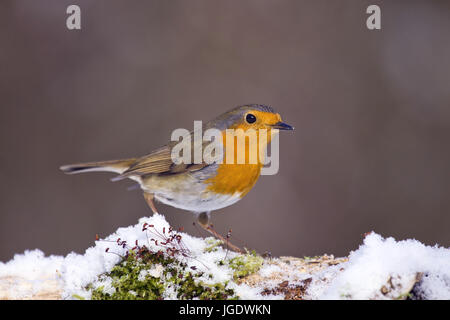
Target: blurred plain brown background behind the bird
{"type": "Point", "coordinates": [371, 111]}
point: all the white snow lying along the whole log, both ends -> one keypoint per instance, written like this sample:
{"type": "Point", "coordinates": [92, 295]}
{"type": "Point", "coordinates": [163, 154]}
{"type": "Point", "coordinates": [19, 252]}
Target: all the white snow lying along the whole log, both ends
{"type": "Point", "coordinates": [378, 264]}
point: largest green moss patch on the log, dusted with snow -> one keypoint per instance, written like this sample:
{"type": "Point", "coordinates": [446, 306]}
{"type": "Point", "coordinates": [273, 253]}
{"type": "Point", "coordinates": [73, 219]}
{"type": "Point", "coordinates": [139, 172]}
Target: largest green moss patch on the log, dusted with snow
{"type": "Point", "coordinates": [133, 279]}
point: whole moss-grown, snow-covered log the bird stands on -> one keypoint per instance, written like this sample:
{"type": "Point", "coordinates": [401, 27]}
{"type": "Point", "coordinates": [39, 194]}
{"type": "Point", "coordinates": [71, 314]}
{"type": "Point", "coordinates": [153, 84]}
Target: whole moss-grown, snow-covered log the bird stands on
{"type": "Point", "coordinates": [150, 260]}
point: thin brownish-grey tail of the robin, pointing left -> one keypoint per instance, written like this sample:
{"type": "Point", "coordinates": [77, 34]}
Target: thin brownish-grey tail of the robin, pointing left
{"type": "Point", "coordinates": [117, 166]}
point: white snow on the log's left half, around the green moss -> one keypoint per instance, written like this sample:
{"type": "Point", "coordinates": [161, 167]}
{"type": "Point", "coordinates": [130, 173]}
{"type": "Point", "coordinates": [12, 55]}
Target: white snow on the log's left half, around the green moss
{"type": "Point", "coordinates": [75, 271]}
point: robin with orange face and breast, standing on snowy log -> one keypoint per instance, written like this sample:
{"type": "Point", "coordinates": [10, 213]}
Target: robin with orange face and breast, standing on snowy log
{"type": "Point", "coordinates": [197, 187]}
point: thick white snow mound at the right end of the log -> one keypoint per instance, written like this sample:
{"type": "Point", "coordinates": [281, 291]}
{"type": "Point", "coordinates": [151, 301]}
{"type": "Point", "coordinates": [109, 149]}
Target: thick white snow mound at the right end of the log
{"type": "Point", "coordinates": [377, 260]}
